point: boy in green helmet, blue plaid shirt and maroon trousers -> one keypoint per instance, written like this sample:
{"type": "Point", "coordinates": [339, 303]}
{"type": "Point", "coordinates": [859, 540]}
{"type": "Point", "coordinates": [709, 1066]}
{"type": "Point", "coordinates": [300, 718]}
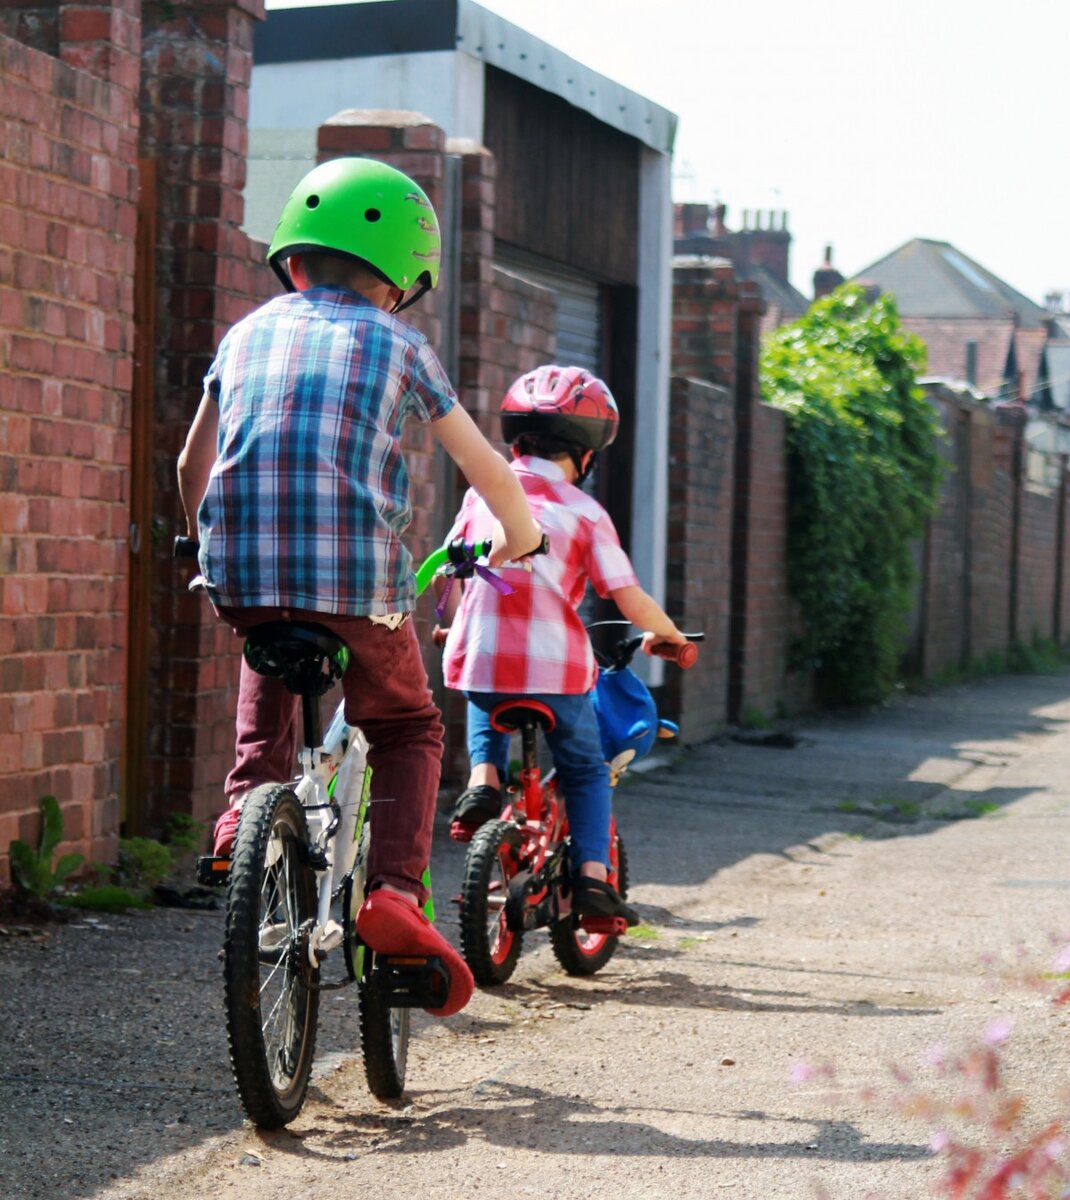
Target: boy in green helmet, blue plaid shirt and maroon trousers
{"type": "Point", "coordinates": [294, 484]}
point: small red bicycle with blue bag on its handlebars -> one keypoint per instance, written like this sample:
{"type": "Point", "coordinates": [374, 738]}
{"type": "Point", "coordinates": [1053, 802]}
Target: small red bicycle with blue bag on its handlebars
{"type": "Point", "coordinates": [516, 869]}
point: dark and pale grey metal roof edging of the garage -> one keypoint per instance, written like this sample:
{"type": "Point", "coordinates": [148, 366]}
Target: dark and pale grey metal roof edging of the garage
{"type": "Point", "coordinates": [416, 27]}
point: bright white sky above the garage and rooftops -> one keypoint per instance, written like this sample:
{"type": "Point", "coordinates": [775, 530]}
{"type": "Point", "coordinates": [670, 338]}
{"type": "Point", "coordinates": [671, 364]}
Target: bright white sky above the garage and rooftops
{"type": "Point", "coordinates": [868, 123]}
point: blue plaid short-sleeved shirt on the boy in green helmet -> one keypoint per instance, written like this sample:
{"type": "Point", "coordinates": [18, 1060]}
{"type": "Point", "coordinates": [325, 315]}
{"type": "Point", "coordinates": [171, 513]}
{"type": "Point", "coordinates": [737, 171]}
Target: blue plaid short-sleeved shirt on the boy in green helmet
{"type": "Point", "coordinates": [309, 495]}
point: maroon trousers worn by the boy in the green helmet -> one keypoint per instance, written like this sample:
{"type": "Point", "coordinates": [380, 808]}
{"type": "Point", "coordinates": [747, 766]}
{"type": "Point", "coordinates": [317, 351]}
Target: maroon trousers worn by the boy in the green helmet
{"type": "Point", "coordinates": [387, 697]}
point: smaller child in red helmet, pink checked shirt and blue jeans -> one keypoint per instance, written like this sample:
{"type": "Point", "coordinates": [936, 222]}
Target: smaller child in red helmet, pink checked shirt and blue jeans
{"type": "Point", "coordinates": [532, 641]}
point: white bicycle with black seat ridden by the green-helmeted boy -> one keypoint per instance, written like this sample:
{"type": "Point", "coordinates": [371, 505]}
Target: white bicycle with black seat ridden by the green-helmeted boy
{"type": "Point", "coordinates": [296, 884]}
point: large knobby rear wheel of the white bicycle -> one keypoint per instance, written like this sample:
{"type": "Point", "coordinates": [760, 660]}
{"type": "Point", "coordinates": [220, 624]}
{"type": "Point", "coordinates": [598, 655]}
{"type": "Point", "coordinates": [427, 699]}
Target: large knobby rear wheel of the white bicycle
{"type": "Point", "coordinates": [269, 987]}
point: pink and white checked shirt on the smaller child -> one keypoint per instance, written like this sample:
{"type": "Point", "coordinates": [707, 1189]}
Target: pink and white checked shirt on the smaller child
{"type": "Point", "coordinates": [533, 641]}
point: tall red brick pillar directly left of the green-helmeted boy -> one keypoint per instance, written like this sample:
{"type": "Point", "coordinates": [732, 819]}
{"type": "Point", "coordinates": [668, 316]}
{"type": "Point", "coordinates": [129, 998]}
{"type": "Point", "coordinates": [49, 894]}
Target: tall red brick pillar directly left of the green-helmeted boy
{"type": "Point", "coordinates": [197, 62]}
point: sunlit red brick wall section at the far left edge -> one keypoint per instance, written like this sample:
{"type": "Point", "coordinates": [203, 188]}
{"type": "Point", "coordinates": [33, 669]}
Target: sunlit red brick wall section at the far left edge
{"type": "Point", "coordinates": [67, 261]}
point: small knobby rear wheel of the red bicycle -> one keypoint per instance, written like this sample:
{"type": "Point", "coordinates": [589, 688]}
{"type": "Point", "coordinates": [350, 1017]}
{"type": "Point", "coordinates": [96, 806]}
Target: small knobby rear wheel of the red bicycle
{"type": "Point", "coordinates": [490, 949]}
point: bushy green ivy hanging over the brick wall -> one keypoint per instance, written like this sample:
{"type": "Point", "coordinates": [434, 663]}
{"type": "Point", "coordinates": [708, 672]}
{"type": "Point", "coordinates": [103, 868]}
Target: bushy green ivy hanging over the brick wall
{"type": "Point", "coordinates": [864, 471]}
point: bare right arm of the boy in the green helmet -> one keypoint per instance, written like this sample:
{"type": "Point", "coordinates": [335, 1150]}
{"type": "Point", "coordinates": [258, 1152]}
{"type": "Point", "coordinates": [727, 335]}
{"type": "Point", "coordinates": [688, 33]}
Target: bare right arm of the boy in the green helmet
{"type": "Point", "coordinates": [490, 475]}
